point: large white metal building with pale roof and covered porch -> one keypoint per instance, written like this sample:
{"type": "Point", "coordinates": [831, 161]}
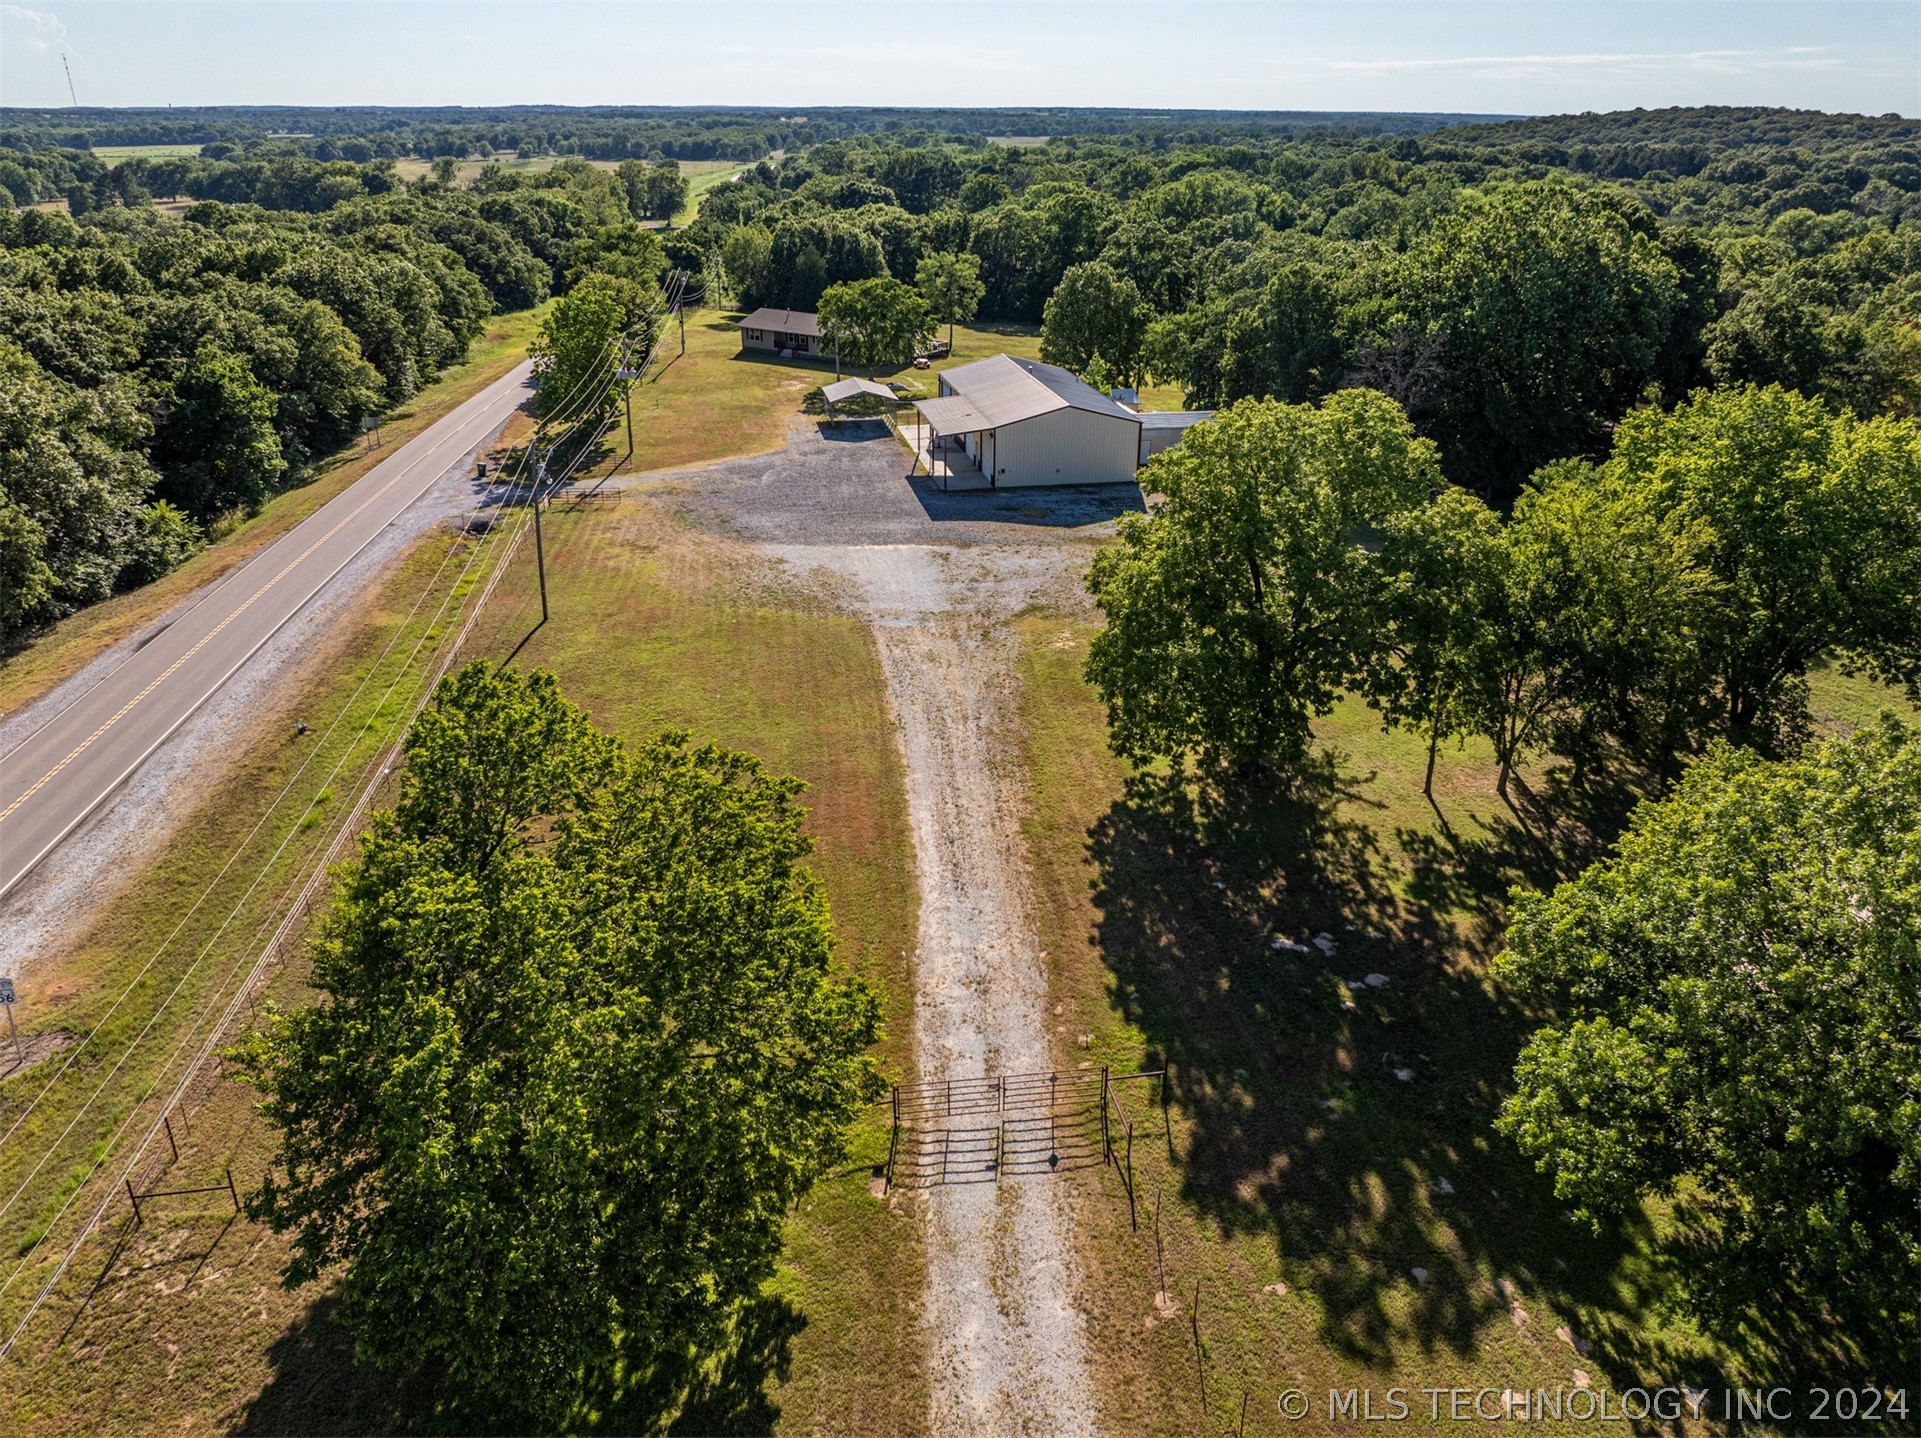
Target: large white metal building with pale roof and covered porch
{"type": "Point", "coordinates": [1013, 423]}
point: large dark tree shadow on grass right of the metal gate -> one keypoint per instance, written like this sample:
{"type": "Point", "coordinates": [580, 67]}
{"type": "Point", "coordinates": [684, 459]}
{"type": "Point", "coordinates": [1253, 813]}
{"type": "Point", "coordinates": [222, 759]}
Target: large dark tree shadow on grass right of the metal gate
{"type": "Point", "coordinates": [1350, 1122]}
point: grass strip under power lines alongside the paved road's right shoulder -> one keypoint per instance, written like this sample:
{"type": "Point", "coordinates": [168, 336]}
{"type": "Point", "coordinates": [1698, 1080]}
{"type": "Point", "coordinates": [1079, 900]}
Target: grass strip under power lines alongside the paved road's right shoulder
{"type": "Point", "coordinates": [183, 1316]}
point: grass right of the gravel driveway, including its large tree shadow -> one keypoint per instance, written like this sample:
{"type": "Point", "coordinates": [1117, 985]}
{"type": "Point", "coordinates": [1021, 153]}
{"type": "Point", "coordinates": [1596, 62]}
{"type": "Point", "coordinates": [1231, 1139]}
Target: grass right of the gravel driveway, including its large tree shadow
{"type": "Point", "coordinates": [1332, 1139]}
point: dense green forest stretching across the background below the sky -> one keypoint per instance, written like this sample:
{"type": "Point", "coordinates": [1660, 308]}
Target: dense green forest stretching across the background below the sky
{"type": "Point", "coordinates": [1517, 287]}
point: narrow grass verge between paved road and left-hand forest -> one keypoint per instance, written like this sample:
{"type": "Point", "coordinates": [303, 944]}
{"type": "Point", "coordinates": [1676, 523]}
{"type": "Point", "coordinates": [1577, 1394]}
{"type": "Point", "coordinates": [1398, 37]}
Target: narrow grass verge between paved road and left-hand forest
{"type": "Point", "coordinates": [68, 646]}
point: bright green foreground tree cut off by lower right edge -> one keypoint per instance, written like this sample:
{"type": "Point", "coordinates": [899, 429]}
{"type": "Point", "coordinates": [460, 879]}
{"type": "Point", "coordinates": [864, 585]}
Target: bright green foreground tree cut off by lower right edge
{"type": "Point", "coordinates": [1738, 1024]}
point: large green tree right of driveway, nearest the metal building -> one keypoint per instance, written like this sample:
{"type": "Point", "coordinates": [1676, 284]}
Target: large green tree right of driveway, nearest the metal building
{"type": "Point", "coordinates": [1250, 596]}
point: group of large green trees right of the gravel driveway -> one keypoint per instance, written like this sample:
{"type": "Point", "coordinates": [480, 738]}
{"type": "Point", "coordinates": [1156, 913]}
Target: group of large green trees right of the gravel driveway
{"type": "Point", "coordinates": [1728, 1007]}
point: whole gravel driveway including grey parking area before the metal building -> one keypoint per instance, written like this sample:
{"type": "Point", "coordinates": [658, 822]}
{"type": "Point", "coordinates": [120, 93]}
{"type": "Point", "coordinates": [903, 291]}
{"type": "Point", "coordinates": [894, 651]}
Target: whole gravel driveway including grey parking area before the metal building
{"type": "Point", "coordinates": [940, 579]}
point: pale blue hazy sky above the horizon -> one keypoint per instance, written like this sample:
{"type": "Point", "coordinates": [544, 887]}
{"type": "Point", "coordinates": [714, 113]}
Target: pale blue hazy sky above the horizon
{"type": "Point", "coordinates": [1478, 57]}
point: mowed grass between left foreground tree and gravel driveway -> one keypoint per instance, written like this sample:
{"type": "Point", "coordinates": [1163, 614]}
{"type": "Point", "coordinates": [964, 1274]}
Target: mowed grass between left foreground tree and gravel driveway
{"type": "Point", "coordinates": [654, 627]}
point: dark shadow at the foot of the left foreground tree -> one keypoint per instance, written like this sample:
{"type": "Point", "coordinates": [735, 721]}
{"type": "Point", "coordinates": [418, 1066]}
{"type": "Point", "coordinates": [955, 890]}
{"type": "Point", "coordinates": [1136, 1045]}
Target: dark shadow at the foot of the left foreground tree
{"type": "Point", "coordinates": [320, 1387]}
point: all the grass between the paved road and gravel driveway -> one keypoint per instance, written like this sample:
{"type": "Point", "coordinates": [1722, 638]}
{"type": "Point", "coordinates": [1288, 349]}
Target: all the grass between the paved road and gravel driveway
{"type": "Point", "coordinates": [650, 629]}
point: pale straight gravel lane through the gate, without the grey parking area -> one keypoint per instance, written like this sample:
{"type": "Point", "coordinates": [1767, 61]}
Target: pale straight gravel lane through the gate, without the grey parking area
{"type": "Point", "coordinates": [1000, 1312]}
